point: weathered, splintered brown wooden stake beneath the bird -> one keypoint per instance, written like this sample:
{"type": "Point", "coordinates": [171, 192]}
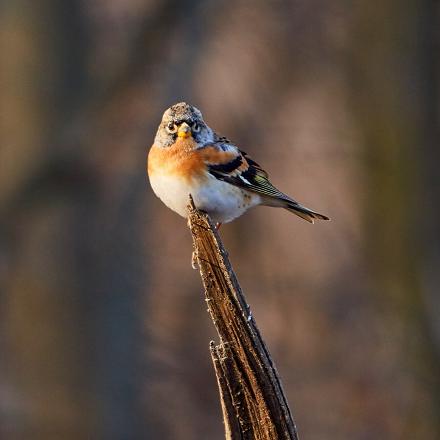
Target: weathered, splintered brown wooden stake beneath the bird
{"type": "Point", "coordinates": [253, 402]}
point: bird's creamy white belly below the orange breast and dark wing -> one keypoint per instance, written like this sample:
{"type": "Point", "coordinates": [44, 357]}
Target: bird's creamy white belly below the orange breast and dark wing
{"type": "Point", "coordinates": [222, 201]}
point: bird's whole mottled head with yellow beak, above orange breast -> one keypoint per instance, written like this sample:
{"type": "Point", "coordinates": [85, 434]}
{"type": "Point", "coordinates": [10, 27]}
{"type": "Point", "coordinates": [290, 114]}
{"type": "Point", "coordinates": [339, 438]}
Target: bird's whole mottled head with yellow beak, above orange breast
{"type": "Point", "coordinates": [182, 121]}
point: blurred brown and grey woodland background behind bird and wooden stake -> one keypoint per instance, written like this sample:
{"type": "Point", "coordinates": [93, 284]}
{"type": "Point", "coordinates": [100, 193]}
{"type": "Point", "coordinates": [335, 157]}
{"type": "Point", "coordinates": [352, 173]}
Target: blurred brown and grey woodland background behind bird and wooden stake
{"type": "Point", "coordinates": [103, 326]}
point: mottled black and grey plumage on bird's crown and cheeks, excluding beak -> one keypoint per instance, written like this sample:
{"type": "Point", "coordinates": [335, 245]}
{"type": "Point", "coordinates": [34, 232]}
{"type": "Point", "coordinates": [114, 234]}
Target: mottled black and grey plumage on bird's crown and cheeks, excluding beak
{"type": "Point", "coordinates": [177, 114]}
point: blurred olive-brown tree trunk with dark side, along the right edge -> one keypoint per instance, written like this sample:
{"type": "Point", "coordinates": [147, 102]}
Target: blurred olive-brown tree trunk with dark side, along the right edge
{"type": "Point", "coordinates": [394, 96]}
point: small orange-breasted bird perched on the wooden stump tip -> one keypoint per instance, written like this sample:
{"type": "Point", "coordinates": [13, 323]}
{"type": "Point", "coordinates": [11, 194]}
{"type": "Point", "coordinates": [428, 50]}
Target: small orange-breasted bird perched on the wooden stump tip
{"type": "Point", "coordinates": [188, 157]}
